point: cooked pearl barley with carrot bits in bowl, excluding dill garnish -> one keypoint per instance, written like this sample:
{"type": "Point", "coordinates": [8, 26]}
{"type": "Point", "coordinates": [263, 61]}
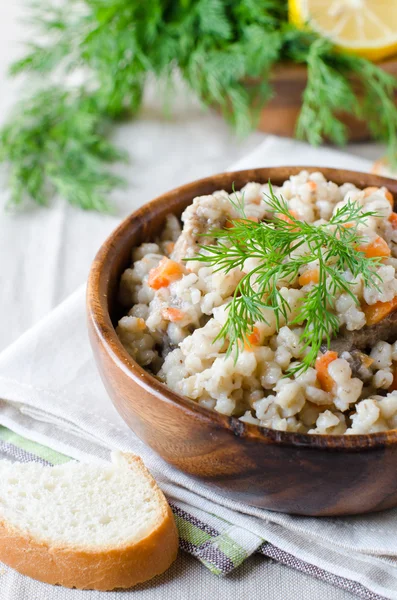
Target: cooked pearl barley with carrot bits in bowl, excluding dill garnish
{"type": "Point", "coordinates": [172, 331]}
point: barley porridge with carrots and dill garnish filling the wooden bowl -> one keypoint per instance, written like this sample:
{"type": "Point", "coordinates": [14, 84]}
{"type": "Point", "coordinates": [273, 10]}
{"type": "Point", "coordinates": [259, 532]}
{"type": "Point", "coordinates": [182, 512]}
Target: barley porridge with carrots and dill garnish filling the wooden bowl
{"type": "Point", "coordinates": [181, 315]}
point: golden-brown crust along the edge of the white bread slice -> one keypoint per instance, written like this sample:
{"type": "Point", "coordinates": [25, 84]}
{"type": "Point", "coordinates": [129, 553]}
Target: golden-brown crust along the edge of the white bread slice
{"type": "Point", "coordinates": [105, 569]}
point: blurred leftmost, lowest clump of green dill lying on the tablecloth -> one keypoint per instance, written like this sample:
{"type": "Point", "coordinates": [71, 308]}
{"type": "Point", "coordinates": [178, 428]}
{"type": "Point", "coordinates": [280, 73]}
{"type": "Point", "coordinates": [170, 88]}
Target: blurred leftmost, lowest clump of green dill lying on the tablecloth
{"type": "Point", "coordinates": [57, 146]}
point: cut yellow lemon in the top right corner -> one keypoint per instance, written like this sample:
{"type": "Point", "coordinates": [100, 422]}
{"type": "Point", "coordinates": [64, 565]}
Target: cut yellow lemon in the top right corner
{"type": "Point", "coordinates": [365, 27]}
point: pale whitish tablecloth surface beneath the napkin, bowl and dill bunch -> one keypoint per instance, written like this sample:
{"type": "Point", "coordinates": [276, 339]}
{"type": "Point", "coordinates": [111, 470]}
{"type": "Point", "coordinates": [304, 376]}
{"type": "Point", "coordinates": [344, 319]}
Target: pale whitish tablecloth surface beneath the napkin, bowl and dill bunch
{"type": "Point", "coordinates": [164, 154]}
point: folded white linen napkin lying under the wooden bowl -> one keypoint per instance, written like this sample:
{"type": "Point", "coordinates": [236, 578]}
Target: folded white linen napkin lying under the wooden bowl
{"type": "Point", "coordinates": [51, 393]}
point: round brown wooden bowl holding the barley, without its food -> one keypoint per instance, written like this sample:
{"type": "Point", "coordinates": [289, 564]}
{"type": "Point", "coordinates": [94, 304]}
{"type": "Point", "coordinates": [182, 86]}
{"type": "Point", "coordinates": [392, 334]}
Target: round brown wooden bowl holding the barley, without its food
{"type": "Point", "coordinates": [282, 471]}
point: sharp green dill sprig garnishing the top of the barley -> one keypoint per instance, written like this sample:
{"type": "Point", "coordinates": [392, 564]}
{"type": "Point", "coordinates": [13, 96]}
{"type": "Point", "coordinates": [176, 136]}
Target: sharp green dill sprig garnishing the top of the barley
{"type": "Point", "coordinates": [283, 245]}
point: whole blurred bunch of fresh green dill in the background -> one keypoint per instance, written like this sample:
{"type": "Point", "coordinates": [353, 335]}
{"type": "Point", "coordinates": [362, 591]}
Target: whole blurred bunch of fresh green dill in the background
{"type": "Point", "coordinates": [224, 53]}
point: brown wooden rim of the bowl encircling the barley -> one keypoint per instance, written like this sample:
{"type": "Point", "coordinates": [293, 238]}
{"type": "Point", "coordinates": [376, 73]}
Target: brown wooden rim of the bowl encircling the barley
{"type": "Point", "coordinates": [100, 320]}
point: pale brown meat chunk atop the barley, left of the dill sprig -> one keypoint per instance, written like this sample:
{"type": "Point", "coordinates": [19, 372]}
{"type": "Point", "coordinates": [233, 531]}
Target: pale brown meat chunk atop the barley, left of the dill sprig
{"type": "Point", "coordinates": [204, 214]}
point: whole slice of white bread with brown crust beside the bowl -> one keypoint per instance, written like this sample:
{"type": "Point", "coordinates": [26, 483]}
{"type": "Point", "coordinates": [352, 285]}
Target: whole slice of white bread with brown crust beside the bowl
{"type": "Point", "coordinates": [85, 526]}
